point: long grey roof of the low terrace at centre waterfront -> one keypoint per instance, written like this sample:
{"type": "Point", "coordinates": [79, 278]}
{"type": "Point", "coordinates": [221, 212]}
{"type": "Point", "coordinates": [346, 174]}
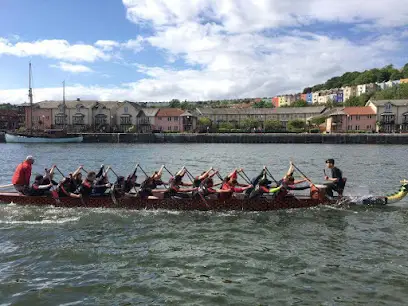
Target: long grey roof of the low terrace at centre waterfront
{"type": "Point", "coordinates": [261, 111]}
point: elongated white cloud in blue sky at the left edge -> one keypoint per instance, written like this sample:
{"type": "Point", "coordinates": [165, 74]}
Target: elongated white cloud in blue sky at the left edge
{"type": "Point", "coordinates": [53, 48]}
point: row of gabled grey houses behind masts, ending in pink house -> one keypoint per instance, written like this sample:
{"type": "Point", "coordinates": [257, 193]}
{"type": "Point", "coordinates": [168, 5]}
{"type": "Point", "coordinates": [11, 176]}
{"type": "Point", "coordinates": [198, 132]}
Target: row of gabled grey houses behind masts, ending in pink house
{"type": "Point", "coordinates": [107, 116]}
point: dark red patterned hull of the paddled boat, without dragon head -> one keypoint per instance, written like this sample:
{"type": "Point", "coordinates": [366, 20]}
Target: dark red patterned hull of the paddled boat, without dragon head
{"type": "Point", "coordinates": [128, 202]}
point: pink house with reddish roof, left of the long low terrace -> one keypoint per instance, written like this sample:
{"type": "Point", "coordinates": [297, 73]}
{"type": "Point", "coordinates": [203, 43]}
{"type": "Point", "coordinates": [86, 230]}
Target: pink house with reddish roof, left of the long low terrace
{"type": "Point", "coordinates": [175, 120]}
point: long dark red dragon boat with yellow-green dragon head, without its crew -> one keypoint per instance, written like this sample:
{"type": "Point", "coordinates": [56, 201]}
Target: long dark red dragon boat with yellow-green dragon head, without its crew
{"type": "Point", "coordinates": [266, 203]}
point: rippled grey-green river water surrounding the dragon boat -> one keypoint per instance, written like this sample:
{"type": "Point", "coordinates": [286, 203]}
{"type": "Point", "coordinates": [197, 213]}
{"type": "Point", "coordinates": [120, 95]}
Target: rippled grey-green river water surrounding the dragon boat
{"type": "Point", "coordinates": [319, 256]}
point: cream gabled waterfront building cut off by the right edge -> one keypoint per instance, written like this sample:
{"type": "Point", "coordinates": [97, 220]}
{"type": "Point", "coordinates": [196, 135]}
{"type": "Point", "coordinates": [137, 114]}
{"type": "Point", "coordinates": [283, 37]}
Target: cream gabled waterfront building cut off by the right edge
{"type": "Point", "coordinates": [391, 115]}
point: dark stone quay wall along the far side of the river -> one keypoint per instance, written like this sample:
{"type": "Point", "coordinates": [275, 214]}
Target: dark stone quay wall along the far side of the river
{"type": "Point", "coordinates": [244, 138]}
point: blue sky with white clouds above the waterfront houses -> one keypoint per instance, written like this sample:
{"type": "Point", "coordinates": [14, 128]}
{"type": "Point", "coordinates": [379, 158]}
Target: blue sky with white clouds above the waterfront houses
{"type": "Point", "coordinates": [158, 50]}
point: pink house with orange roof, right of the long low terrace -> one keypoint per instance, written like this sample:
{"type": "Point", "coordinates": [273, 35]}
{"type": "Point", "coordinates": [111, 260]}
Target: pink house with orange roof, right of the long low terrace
{"type": "Point", "coordinates": [355, 118]}
